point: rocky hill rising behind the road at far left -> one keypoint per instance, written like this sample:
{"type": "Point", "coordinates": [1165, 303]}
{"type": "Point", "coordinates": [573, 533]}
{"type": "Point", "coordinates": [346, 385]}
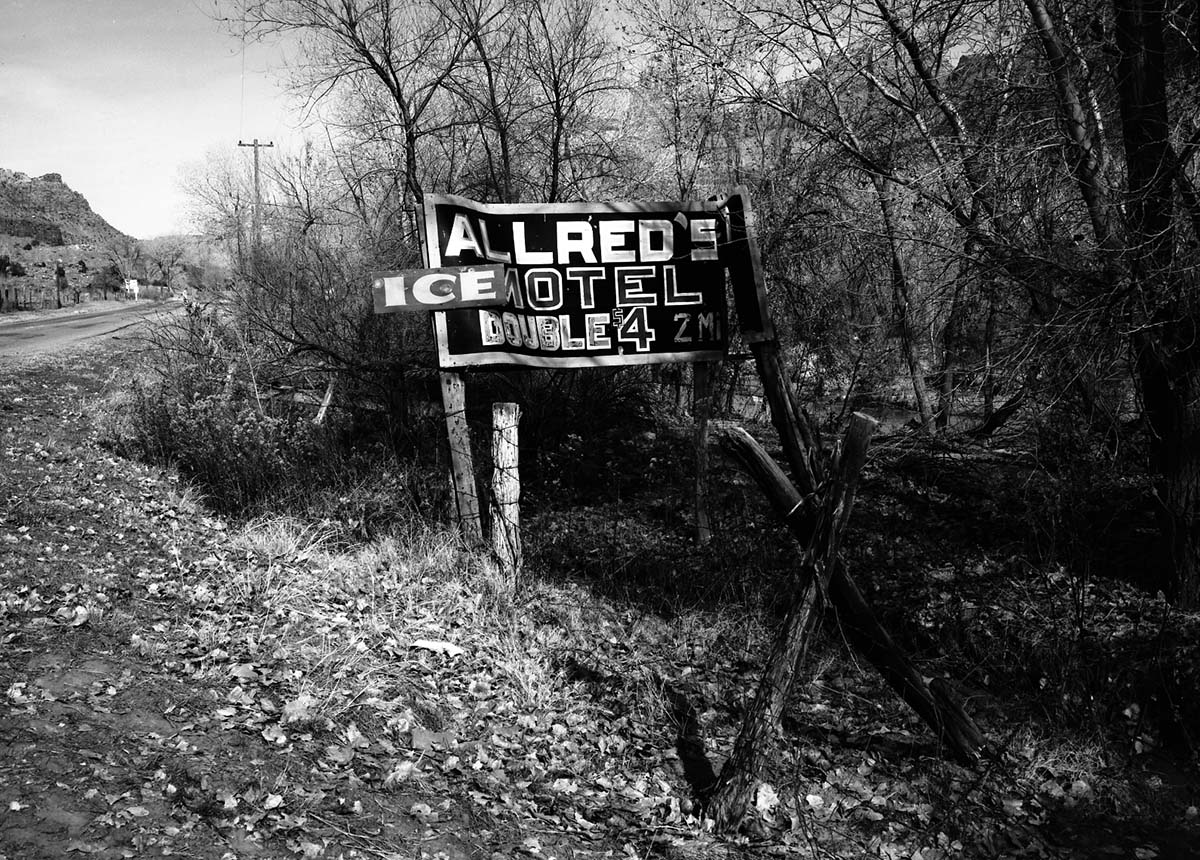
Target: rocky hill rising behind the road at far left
{"type": "Point", "coordinates": [50, 212]}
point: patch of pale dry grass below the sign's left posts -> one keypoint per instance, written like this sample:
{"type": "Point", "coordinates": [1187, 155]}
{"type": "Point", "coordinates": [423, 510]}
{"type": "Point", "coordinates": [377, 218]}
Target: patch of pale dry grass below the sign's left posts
{"type": "Point", "coordinates": [346, 621]}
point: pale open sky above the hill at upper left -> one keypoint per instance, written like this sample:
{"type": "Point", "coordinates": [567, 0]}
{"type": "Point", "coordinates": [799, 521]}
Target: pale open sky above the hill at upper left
{"type": "Point", "coordinates": [118, 95]}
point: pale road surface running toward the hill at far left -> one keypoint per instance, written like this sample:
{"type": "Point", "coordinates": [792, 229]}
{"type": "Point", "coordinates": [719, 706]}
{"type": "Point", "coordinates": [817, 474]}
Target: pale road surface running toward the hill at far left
{"type": "Point", "coordinates": [26, 334]}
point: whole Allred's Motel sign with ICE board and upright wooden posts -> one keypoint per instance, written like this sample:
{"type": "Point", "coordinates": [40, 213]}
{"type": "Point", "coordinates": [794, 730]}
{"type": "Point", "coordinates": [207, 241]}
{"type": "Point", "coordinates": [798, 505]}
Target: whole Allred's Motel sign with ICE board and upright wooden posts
{"type": "Point", "coordinates": [557, 286]}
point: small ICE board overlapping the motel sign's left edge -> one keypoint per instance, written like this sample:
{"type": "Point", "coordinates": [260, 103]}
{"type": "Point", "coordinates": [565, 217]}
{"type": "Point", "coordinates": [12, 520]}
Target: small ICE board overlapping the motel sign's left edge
{"type": "Point", "coordinates": [433, 290]}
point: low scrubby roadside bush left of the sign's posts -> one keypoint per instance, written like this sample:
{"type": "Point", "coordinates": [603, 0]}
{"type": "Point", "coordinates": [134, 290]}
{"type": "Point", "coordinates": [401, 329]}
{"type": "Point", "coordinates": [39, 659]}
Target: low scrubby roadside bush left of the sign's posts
{"type": "Point", "coordinates": [219, 412]}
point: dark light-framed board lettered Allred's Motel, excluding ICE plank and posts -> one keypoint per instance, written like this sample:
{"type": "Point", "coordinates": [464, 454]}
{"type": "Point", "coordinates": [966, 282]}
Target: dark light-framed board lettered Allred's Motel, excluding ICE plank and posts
{"type": "Point", "coordinates": [590, 285]}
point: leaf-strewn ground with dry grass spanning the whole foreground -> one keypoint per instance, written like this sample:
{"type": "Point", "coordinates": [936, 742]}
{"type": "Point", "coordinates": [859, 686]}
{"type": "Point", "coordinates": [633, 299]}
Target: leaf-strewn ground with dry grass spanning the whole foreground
{"type": "Point", "coordinates": [178, 685]}
